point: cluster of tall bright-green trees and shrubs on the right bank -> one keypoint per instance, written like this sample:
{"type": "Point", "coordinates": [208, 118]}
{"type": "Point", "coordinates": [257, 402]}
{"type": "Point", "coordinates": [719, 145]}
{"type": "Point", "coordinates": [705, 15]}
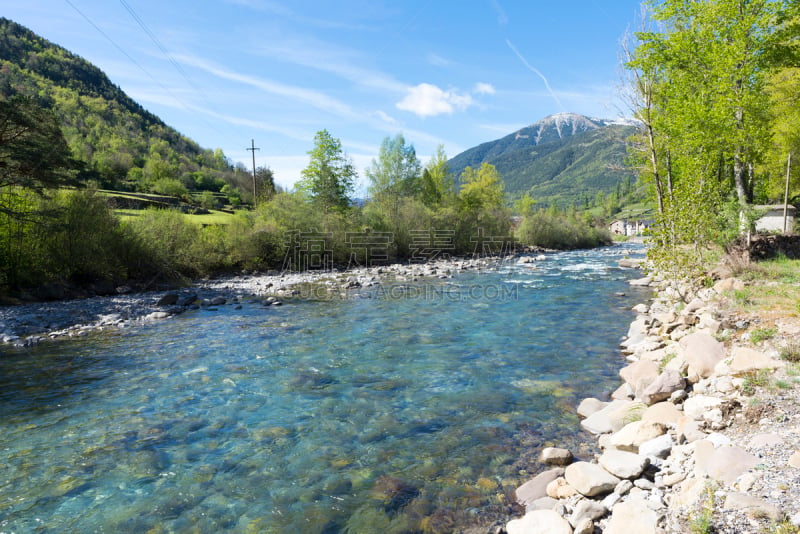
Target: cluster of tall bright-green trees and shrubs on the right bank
{"type": "Point", "coordinates": [714, 85]}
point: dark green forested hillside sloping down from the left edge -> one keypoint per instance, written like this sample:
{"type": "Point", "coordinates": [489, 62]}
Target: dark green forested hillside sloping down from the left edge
{"type": "Point", "coordinates": [121, 144]}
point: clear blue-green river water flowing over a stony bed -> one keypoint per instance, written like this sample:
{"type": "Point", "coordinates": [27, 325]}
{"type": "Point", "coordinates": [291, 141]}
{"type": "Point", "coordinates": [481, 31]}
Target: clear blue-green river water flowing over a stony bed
{"type": "Point", "coordinates": [408, 408]}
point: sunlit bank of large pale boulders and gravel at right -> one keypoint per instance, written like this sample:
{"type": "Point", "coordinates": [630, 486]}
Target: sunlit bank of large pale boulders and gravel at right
{"type": "Point", "coordinates": [702, 436]}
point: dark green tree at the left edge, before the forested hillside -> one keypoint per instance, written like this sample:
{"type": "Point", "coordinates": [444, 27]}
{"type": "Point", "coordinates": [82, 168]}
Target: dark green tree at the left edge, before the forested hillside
{"type": "Point", "coordinates": [33, 152]}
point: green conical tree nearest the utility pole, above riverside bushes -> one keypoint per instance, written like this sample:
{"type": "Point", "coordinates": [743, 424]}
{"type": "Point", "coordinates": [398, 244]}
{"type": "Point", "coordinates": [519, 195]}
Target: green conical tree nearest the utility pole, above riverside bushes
{"type": "Point", "coordinates": [330, 174]}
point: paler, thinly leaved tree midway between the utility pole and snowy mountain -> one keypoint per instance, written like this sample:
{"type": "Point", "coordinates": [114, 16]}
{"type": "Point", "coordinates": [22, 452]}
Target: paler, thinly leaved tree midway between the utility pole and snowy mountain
{"type": "Point", "coordinates": [396, 172]}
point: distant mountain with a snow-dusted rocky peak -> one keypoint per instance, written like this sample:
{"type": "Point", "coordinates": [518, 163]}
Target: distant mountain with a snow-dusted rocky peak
{"type": "Point", "coordinates": [563, 159]}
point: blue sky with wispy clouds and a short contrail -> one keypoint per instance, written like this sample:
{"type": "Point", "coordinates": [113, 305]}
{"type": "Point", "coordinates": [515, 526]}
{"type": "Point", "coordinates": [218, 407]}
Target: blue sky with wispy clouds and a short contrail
{"type": "Point", "coordinates": [224, 72]}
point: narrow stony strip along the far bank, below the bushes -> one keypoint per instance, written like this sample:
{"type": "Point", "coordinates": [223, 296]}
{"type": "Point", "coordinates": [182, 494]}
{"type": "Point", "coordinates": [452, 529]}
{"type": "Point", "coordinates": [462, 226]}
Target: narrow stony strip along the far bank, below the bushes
{"type": "Point", "coordinates": [29, 324]}
